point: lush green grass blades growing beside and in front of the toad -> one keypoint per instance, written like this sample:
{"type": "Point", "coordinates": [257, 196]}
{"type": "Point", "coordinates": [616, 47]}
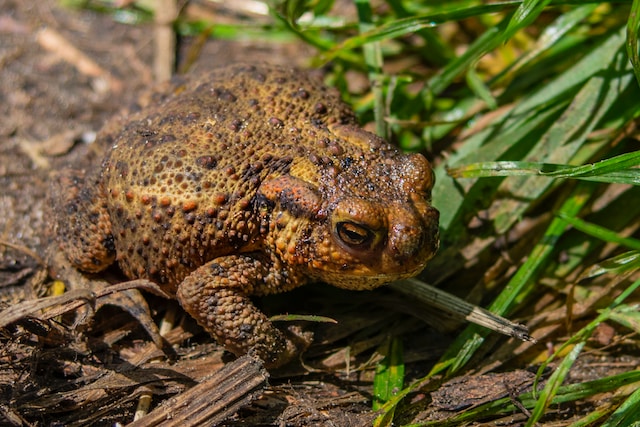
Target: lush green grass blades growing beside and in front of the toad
{"type": "Point", "coordinates": [528, 109]}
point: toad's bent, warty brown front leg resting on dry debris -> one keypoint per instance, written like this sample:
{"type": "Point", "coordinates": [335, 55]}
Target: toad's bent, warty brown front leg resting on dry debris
{"type": "Point", "coordinates": [217, 296]}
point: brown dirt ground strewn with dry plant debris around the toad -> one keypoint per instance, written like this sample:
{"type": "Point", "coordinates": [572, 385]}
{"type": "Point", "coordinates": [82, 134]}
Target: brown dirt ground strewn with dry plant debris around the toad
{"type": "Point", "coordinates": [53, 102]}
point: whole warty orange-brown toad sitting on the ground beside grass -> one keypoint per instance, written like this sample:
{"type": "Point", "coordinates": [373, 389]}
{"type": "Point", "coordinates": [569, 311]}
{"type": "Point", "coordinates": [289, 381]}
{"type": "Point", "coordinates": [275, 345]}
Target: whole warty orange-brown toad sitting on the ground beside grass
{"type": "Point", "coordinates": [246, 181]}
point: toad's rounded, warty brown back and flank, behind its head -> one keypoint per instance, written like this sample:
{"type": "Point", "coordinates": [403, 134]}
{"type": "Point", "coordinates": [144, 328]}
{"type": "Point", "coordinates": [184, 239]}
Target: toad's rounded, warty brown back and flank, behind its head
{"type": "Point", "coordinates": [182, 175]}
